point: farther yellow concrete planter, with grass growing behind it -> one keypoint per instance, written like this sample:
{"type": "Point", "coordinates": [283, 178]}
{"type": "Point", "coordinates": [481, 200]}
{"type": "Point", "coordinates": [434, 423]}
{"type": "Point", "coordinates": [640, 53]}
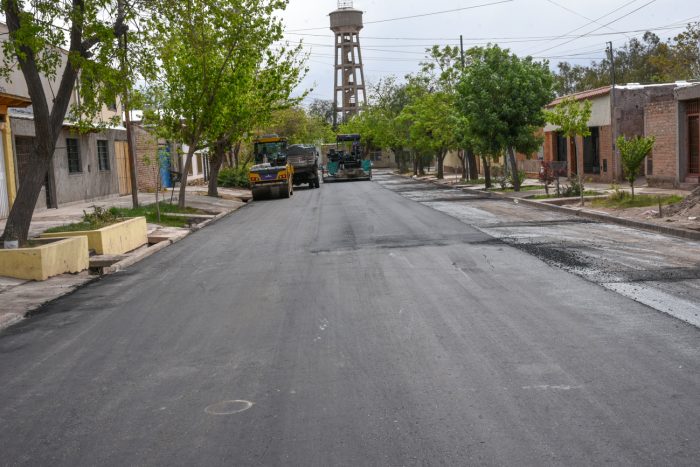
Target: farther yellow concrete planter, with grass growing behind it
{"type": "Point", "coordinates": [115, 239]}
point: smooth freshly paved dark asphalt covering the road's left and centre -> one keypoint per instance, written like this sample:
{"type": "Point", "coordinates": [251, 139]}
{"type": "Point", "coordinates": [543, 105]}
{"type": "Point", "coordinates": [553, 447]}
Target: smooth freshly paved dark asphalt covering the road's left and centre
{"type": "Point", "coordinates": [365, 329]}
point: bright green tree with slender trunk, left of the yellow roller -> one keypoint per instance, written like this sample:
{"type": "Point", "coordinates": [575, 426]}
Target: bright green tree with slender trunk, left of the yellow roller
{"type": "Point", "coordinates": [206, 62]}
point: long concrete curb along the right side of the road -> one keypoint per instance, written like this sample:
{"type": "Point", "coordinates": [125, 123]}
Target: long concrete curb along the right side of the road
{"type": "Point", "coordinates": [597, 216]}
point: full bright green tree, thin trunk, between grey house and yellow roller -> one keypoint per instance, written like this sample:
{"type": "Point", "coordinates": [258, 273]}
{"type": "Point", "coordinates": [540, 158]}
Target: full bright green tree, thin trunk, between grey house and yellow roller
{"type": "Point", "coordinates": [222, 72]}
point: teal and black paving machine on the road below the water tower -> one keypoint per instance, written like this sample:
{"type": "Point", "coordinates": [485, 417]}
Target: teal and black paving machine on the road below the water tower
{"type": "Point", "coordinates": [346, 161]}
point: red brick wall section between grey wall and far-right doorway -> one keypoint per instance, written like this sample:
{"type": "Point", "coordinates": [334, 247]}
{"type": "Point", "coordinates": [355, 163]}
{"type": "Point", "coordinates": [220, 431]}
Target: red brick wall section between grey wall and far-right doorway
{"type": "Point", "coordinates": [661, 122]}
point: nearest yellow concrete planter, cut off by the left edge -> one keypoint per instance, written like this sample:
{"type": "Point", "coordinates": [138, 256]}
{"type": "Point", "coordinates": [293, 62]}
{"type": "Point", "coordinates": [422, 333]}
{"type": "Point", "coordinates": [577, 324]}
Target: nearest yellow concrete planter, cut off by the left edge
{"type": "Point", "coordinates": [43, 261]}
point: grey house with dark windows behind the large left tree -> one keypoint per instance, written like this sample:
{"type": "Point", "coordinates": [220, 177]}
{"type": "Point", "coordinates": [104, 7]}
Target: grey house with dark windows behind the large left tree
{"type": "Point", "coordinates": [84, 166]}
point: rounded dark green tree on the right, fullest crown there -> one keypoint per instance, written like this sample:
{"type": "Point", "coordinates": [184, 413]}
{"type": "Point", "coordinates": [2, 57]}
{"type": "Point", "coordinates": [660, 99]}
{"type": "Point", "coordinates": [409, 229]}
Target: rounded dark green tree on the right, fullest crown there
{"type": "Point", "coordinates": [502, 97]}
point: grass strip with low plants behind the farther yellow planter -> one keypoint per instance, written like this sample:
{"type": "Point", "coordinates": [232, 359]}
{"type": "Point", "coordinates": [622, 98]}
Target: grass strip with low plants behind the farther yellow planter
{"type": "Point", "coordinates": [104, 217]}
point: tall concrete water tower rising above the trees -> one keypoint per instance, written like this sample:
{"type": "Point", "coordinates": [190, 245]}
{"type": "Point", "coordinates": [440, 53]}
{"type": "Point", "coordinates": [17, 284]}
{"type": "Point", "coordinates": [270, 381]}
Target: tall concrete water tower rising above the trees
{"type": "Point", "coordinates": [349, 80]}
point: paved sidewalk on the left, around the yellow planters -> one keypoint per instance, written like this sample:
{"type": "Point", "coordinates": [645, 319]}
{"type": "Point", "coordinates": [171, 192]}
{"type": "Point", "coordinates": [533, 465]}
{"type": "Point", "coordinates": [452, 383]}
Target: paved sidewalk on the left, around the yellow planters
{"type": "Point", "coordinates": [18, 298]}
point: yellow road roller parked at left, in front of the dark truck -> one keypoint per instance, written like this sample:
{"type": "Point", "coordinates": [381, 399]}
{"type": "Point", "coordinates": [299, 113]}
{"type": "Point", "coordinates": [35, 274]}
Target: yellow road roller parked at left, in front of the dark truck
{"type": "Point", "coordinates": [272, 174]}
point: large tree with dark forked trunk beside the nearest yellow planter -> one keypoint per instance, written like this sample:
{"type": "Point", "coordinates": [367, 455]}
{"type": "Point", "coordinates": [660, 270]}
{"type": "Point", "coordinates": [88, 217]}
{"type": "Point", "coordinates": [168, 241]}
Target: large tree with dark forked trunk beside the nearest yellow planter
{"type": "Point", "coordinates": [68, 42]}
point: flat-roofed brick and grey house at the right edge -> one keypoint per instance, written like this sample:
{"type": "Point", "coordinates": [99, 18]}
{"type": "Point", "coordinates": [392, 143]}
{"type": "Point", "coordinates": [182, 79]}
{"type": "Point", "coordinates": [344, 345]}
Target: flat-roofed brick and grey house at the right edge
{"type": "Point", "coordinates": [659, 110]}
